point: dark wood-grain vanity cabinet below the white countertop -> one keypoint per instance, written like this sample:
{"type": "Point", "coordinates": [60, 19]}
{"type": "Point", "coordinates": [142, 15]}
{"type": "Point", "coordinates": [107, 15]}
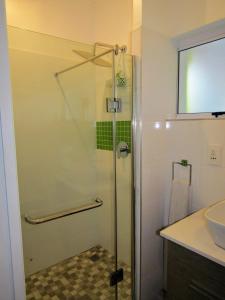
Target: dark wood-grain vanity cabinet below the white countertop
{"type": "Point", "coordinates": [191, 276]}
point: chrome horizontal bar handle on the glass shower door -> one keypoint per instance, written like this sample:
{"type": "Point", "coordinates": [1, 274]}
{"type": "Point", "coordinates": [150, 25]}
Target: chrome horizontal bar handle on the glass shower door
{"type": "Point", "coordinates": [38, 220]}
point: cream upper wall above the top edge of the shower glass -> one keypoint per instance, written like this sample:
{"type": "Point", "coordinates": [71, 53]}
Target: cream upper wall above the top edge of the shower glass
{"type": "Point", "coordinates": [72, 20]}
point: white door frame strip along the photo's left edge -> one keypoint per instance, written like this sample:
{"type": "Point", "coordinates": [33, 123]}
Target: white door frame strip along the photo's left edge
{"type": "Point", "coordinates": [11, 257]}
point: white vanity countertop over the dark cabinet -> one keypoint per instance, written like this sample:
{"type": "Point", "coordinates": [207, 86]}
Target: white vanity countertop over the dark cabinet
{"type": "Point", "coordinates": [193, 234]}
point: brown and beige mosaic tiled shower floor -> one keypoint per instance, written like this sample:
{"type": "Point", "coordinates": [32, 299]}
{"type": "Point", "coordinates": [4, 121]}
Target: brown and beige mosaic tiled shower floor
{"type": "Point", "coordinates": [82, 277]}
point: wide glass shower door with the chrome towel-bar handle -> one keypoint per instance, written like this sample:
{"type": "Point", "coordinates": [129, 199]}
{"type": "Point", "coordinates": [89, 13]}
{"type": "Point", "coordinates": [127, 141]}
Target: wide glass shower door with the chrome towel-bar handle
{"type": "Point", "coordinates": [65, 160]}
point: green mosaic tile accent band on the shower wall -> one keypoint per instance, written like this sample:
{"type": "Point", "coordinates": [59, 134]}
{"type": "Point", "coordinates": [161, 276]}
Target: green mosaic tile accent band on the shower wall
{"type": "Point", "coordinates": [104, 136]}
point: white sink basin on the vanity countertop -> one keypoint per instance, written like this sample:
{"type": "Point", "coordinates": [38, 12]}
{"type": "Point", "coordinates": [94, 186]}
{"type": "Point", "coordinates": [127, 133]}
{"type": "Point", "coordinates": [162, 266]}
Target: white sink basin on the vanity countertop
{"type": "Point", "coordinates": [215, 216]}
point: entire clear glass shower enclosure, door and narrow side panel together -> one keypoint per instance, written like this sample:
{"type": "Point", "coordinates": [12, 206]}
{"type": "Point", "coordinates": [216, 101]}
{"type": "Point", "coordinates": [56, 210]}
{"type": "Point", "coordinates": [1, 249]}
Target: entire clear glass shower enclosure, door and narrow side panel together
{"type": "Point", "coordinates": [73, 123]}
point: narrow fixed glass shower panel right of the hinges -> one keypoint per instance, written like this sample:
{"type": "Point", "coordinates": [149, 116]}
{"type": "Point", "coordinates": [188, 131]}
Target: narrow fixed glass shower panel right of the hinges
{"type": "Point", "coordinates": [124, 169]}
